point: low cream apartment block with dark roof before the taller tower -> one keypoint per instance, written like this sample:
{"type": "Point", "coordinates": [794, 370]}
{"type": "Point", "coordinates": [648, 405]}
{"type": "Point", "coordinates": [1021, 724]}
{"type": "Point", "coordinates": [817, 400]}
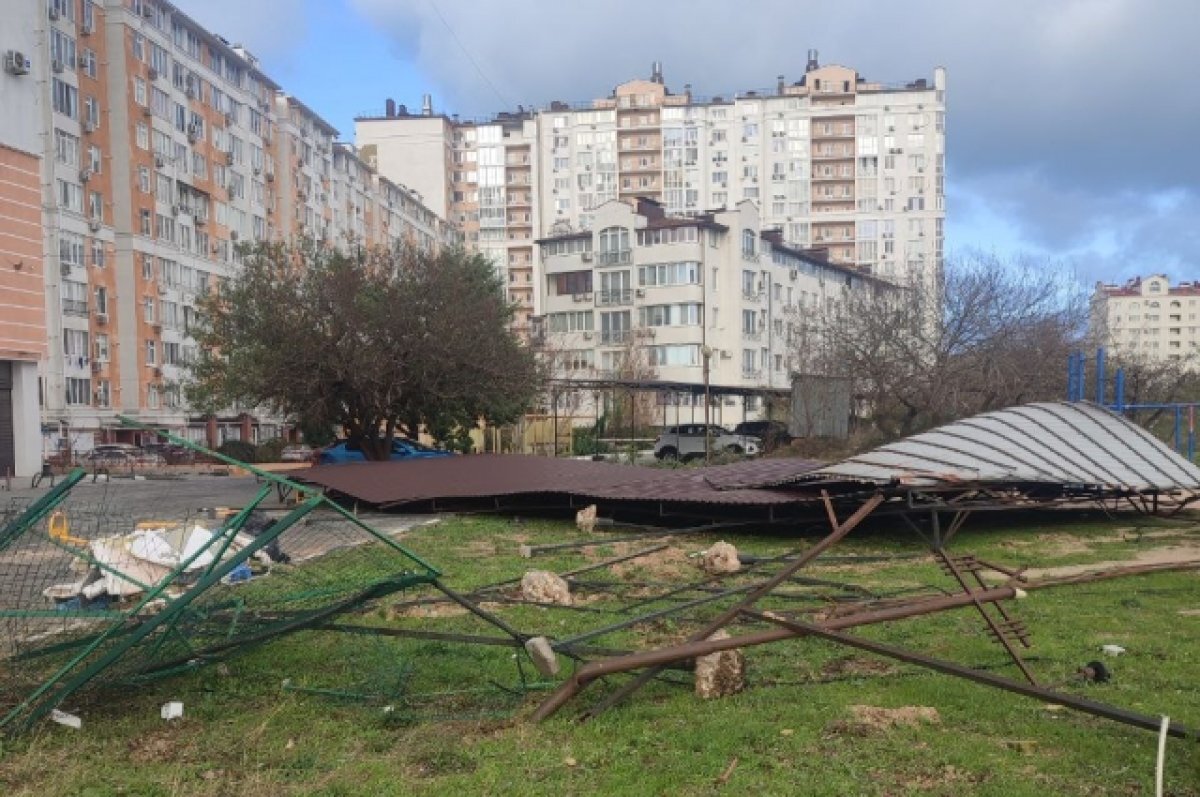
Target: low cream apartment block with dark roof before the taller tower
{"type": "Point", "coordinates": [649, 296]}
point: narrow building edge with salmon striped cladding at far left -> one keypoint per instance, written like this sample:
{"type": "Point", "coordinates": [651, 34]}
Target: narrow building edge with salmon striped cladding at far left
{"type": "Point", "coordinates": [22, 292]}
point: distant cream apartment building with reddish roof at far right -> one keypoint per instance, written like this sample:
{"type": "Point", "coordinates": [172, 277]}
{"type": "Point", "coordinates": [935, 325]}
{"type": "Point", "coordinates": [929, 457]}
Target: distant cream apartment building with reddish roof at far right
{"type": "Point", "coordinates": [1149, 319]}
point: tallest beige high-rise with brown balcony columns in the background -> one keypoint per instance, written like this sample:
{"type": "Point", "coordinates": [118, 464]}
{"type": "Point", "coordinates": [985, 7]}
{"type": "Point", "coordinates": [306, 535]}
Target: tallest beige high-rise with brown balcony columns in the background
{"type": "Point", "coordinates": [832, 161]}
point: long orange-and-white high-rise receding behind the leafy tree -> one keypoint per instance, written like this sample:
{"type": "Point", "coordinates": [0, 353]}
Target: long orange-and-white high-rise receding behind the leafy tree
{"type": "Point", "coordinates": [165, 147]}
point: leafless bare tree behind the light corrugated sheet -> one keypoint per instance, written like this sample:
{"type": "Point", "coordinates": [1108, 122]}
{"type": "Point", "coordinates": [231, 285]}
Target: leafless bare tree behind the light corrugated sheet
{"type": "Point", "coordinates": [989, 335]}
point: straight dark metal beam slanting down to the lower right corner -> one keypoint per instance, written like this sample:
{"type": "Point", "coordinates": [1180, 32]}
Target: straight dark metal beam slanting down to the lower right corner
{"type": "Point", "coordinates": [988, 679]}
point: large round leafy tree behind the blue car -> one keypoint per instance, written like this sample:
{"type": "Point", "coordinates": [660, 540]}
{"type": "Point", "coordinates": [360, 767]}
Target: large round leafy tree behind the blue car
{"type": "Point", "coordinates": [379, 341]}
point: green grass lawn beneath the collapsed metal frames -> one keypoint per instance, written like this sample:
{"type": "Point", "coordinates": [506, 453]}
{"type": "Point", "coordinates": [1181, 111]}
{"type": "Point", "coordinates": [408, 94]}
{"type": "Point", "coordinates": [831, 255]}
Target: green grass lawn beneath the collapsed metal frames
{"type": "Point", "coordinates": [453, 730]}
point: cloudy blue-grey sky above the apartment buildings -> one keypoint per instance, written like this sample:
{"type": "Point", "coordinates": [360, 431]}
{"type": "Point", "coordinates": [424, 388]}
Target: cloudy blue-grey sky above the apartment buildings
{"type": "Point", "coordinates": [1072, 125]}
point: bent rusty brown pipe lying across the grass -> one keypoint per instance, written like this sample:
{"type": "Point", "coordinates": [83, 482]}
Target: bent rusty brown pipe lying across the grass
{"type": "Point", "coordinates": [590, 673]}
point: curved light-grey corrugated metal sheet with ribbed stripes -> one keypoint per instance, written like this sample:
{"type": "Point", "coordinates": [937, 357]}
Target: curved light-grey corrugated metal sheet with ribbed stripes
{"type": "Point", "coordinates": [1043, 444]}
